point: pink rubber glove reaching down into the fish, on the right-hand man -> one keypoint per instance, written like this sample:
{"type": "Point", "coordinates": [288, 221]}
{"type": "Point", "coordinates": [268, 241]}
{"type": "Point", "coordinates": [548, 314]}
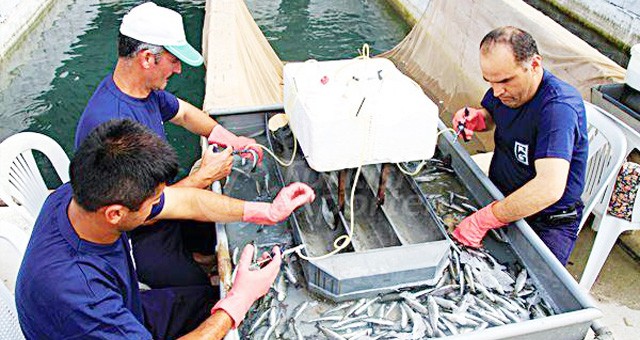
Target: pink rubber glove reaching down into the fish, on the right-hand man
{"type": "Point", "coordinates": [472, 229]}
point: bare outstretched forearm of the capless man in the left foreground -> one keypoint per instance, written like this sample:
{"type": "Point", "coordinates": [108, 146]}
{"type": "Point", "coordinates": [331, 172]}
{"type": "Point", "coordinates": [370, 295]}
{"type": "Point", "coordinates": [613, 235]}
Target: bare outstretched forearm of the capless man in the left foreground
{"type": "Point", "coordinates": [200, 205]}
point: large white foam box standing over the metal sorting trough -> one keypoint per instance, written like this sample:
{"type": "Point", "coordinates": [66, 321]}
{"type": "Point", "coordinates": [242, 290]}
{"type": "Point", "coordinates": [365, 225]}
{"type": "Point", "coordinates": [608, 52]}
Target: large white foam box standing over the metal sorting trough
{"type": "Point", "coordinates": [346, 113]}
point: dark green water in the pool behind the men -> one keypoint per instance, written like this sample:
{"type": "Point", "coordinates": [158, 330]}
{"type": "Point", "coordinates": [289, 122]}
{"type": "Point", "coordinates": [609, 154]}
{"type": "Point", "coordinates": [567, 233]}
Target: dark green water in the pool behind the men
{"type": "Point", "coordinates": [47, 82]}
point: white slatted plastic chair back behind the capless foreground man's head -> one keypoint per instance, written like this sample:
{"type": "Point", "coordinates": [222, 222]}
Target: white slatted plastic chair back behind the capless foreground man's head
{"type": "Point", "coordinates": [21, 184]}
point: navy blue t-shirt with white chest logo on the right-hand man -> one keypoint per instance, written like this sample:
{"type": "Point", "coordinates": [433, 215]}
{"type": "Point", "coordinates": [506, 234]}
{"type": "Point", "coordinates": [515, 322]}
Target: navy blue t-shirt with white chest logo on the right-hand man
{"type": "Point", "coordinates": [552, 124]}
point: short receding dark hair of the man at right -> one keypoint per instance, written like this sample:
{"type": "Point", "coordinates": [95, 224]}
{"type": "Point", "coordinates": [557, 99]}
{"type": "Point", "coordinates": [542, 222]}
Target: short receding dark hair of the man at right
{"type": "Point", "coordinates": [520, 42]}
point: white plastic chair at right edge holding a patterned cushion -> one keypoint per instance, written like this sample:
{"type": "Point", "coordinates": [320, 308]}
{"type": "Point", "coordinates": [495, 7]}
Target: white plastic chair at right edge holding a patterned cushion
{"type": "Point", "coordinates": [610, 227]}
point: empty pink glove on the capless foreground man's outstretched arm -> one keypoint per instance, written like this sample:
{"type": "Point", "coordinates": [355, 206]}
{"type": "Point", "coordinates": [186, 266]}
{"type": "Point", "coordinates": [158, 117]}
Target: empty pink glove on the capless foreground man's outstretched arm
{"type": "Point", "coordinates": [289, 198]}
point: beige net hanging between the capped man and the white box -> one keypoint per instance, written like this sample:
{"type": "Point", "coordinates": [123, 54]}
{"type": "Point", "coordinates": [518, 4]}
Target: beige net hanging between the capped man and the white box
{"type": "Point", "coordinates": [242, 68]}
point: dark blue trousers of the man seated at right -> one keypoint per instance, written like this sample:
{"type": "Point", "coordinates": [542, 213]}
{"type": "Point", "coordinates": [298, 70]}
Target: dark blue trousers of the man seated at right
{"type": "Point", "coordinates": [560, 239]}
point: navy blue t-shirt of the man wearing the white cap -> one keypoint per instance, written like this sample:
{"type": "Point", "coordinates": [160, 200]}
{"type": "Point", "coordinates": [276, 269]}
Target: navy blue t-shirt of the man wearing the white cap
{"type": "Point", "coordinates": [108, 103]}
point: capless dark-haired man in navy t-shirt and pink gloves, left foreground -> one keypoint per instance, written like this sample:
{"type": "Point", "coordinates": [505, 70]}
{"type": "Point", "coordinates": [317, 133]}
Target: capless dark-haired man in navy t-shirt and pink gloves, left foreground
{"type": "Point", "coordinates": [77, 279]}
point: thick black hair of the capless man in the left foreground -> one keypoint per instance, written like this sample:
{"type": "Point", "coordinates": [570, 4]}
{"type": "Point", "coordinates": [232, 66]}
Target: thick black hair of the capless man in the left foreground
{"type": "Point", "coordinates": [120, 162]}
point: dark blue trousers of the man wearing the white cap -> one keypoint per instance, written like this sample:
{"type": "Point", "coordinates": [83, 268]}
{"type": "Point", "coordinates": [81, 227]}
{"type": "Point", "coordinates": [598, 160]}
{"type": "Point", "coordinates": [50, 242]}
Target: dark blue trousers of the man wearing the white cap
{"type": "Point", "coordinates": [163, 252]}
